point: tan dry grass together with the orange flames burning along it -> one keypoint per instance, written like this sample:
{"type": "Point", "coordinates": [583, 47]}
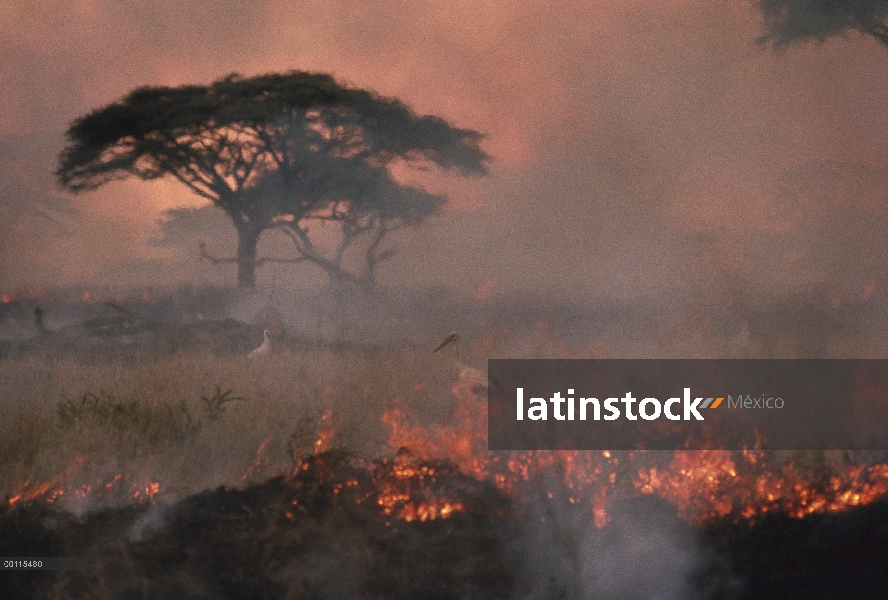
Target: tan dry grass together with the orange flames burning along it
{"type": "Point", "coordinates": [173, 426]}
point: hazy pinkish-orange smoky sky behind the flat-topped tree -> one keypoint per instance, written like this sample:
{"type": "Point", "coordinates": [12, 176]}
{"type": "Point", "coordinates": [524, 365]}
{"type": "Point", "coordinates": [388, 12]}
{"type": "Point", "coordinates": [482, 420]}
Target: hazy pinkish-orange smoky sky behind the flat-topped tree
{"type": "Point", "coordinates": [641, 150]}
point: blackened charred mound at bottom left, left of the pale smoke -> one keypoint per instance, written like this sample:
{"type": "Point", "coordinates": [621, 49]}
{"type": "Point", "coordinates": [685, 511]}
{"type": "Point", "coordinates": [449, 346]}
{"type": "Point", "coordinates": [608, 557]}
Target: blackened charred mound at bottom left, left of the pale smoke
{"type": "Point", "coordinates": [319, 533]}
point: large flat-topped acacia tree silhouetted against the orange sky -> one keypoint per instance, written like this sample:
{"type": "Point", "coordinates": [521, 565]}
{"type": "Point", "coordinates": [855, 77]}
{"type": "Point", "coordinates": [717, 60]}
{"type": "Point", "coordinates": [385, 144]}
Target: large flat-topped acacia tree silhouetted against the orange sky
{"type": "Point", "coordinates": [251, 146]}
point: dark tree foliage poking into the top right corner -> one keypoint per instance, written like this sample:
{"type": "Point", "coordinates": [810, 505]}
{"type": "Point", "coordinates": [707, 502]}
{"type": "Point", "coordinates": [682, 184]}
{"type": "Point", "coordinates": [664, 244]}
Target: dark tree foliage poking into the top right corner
{"type": "Point", "coordinates": [787, 21]}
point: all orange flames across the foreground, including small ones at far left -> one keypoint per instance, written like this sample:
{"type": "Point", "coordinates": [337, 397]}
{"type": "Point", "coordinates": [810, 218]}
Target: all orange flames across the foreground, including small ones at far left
{"type": "Point", "coordinates": [421, 482]}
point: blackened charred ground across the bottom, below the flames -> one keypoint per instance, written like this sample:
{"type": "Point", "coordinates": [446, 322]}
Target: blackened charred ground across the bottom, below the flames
{"type": "Point", "coordinates": [322, 534]}
